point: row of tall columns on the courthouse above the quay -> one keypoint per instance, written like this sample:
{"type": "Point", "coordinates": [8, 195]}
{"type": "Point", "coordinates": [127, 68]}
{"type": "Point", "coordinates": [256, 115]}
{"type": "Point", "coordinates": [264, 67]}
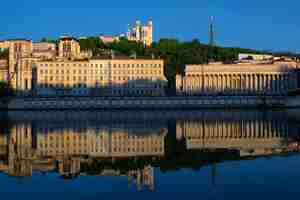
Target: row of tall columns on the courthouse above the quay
{"type": "Point", "coordinates": [238, 84]}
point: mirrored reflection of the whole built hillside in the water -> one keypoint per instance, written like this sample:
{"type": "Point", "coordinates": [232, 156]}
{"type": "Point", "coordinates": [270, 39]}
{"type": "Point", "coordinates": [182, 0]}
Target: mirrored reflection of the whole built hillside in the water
{"type": "Point", "coordinates": [132, 147]}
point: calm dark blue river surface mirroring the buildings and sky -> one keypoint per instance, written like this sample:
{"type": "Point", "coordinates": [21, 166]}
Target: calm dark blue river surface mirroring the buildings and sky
{"type": "Point", "coordinates": [150, 155]}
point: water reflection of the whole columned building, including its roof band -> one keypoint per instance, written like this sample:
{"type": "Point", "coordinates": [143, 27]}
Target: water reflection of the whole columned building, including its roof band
{"type": "Point", "coordinates": [233, 134]}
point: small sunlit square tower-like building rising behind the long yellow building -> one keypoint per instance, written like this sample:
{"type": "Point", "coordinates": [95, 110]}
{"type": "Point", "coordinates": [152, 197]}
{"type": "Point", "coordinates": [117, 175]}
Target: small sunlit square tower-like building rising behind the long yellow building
{"type": "Point", "coordinates": [68, 47]}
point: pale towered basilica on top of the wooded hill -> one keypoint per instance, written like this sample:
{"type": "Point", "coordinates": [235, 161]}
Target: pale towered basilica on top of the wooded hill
{"type": "Point", "coordinates": [140, 33]}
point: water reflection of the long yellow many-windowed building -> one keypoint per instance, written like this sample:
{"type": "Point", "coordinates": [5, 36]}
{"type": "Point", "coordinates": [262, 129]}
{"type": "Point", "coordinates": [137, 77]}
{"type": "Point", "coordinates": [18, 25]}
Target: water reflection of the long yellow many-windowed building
{"type": "Point", "coordinates": [100, 143]}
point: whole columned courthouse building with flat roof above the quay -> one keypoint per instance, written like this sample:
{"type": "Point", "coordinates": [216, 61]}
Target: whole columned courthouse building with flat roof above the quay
{"type": "Point", "coordinates": [237, 79]}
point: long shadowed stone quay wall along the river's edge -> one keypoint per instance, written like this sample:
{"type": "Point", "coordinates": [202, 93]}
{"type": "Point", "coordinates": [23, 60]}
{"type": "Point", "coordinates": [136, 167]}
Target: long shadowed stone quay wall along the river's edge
{"type": "Point", "coordinates": [84, 103]}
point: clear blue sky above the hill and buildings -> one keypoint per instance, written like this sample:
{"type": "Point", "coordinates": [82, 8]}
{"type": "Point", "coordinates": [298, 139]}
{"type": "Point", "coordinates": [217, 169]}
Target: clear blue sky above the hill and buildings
{"type": "Point", "coordinates": [261, 24]}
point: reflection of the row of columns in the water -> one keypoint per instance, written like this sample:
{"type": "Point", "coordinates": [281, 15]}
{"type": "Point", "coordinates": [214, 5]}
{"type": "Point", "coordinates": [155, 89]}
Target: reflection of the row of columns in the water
{"type": "Point", "coordinates": [223, 130]}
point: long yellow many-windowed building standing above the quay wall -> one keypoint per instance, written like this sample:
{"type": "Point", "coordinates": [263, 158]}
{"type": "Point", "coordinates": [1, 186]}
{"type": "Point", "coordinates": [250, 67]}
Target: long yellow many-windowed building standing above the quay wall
{"type": "Point", "coordinates": [103, 77]}
